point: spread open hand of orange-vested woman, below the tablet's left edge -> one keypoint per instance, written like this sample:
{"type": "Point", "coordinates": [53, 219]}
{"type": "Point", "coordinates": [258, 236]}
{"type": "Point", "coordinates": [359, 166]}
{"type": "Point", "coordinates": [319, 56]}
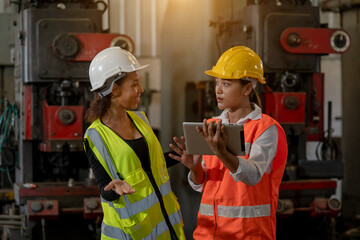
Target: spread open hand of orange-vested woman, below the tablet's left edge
{"type": "Point", "coordinates": [188, 160]}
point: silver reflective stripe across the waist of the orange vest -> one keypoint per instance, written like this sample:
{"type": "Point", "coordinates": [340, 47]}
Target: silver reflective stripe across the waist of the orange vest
{"type": "Point", "coordinates": [237, 212]}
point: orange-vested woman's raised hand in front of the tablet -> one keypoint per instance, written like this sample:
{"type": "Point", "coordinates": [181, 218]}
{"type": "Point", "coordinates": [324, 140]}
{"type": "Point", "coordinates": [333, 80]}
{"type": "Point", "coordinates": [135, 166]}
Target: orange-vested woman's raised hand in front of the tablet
{"type": "Point", "coordinates": [215, 136]}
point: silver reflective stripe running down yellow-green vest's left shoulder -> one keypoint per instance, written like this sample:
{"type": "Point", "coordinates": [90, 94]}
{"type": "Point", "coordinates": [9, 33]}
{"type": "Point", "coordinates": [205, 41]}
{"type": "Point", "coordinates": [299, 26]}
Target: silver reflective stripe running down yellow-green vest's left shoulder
{"type": "Point", "coordinates": [100, 146]}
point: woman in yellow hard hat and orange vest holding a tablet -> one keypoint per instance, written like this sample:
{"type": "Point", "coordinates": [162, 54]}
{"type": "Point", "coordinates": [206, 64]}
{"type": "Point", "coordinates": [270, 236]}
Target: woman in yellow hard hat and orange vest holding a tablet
{"type": "Point", "coordinates": [239, 194]}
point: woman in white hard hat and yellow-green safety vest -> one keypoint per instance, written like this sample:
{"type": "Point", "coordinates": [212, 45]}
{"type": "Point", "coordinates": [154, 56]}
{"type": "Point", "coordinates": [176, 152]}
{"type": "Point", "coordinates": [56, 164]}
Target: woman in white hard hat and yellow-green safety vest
{"type": "Point", "coordinates": [125, 155]}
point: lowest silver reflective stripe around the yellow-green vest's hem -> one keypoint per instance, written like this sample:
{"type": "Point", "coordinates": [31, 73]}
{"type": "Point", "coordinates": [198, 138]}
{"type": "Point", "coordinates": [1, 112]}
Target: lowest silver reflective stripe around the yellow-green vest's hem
{"type": "Point", "coordinates": [159, 229]}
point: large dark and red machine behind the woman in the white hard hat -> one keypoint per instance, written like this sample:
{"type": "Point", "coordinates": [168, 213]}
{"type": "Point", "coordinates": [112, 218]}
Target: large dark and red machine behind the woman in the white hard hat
{"type": "Point", "coordinates": [55, 42]}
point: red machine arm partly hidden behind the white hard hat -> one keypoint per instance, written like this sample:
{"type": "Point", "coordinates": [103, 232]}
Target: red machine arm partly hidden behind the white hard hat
{"type": "Point", "coordinates": [84, 46]}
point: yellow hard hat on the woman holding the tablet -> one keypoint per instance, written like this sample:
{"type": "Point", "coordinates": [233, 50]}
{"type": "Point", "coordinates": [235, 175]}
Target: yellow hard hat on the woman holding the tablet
{"type": "Point", "coordinates": [238, 62]}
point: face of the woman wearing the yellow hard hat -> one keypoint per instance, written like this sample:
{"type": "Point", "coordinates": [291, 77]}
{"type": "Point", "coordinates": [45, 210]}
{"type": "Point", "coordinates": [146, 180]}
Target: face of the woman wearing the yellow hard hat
{"type": "Point", "coordinates": [231, 94]}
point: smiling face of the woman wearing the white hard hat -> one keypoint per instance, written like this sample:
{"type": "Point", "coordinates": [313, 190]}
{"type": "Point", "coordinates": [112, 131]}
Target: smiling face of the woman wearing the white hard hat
{"type": "Point", "coordinates": [129, 92]}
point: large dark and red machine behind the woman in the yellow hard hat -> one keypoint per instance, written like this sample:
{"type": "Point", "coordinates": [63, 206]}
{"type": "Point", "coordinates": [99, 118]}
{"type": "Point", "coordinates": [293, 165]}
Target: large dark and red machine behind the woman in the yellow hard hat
{"type": "Point", "coordinates": [290, 40]}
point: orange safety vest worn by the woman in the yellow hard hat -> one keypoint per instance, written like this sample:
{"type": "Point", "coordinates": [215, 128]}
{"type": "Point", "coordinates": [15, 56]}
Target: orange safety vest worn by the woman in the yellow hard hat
{"type": "Point", "coordinates": [235, 210]}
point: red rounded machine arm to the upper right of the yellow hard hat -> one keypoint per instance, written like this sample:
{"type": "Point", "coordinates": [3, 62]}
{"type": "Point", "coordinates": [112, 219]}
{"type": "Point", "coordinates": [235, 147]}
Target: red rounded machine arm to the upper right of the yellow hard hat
{"type": "Point", "coordinates": [314, 40]}
